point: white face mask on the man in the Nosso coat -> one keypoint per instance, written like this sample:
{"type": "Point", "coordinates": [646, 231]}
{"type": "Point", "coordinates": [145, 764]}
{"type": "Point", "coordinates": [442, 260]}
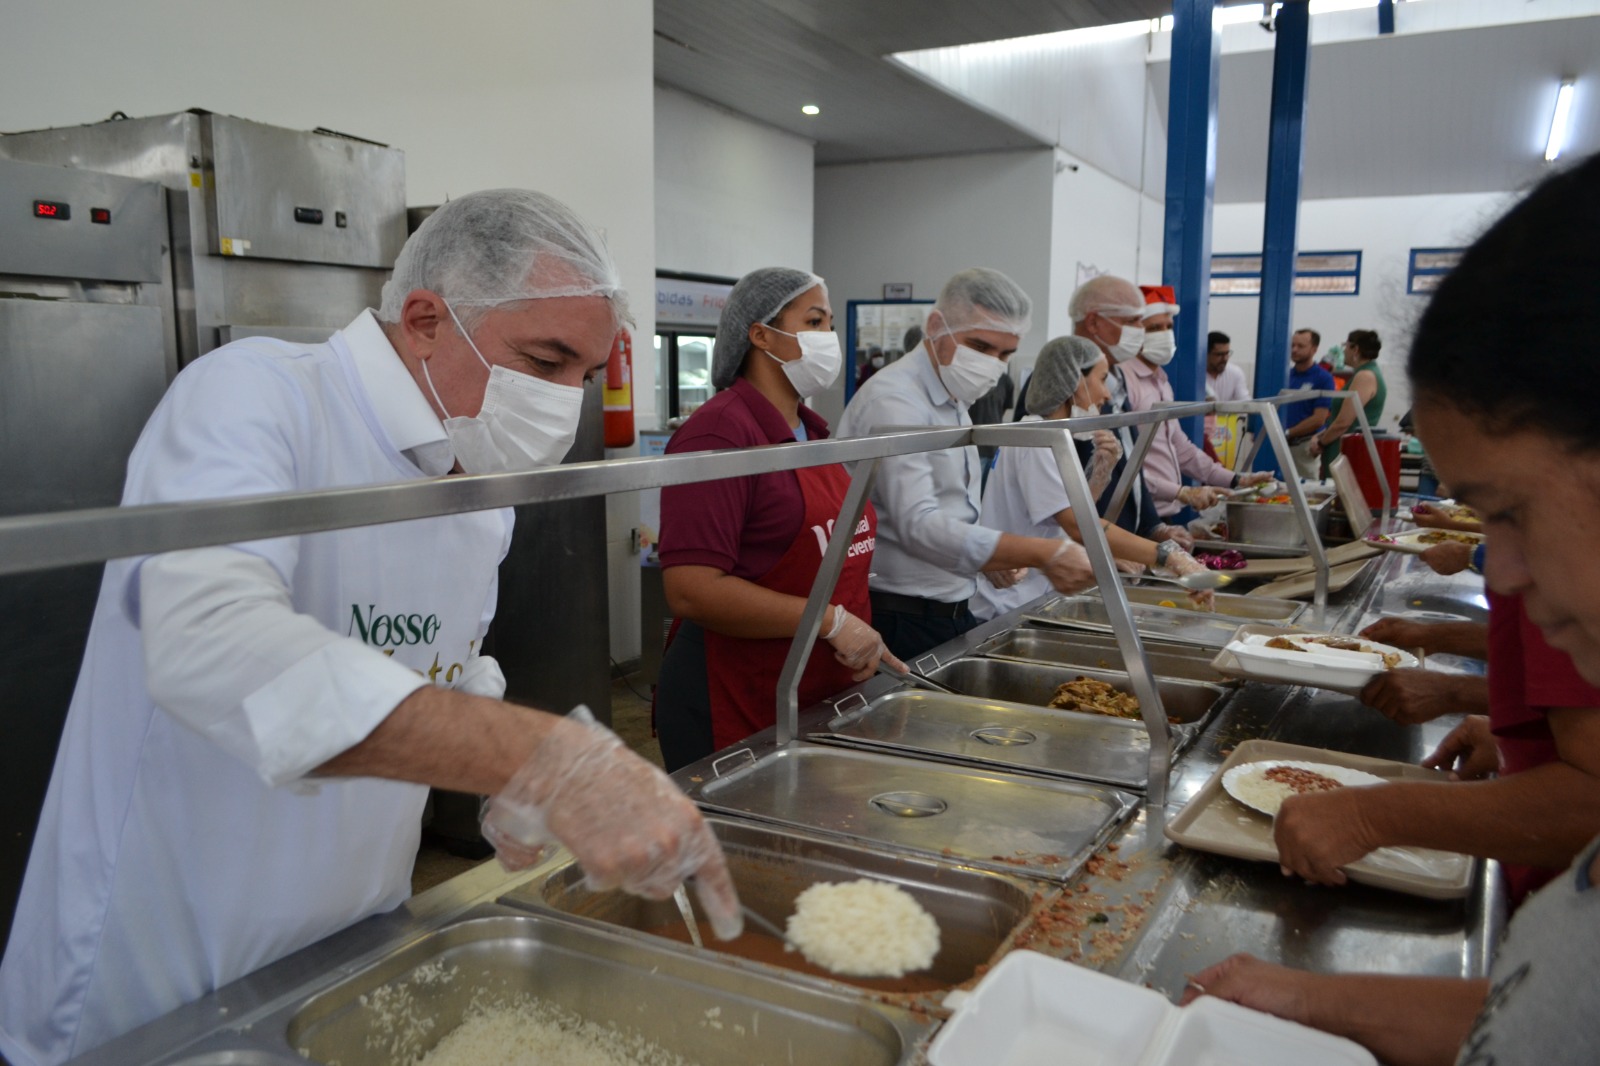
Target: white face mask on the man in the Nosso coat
{"type": "Point", "coordinates": [526, 423]}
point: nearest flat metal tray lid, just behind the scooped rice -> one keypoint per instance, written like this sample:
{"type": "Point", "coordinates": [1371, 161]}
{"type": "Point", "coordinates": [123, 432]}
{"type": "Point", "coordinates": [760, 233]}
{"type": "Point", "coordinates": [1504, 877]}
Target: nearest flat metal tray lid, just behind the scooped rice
{"type": "Point", "coordinates": [999, 822]}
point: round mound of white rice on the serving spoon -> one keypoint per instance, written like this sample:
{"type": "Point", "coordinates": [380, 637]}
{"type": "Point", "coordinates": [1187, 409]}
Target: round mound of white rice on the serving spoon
{"type": "Point", "coordinates": [863, 929]}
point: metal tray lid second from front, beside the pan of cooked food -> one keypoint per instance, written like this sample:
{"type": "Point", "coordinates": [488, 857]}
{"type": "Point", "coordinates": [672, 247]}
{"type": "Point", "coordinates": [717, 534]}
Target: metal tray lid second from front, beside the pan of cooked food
{"type": "Point", "coordinates": [1006, 735]}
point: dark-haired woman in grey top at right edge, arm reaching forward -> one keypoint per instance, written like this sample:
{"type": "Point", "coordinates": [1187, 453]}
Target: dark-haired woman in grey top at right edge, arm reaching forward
{"type": "Point", "coordinates": [1524, 451]}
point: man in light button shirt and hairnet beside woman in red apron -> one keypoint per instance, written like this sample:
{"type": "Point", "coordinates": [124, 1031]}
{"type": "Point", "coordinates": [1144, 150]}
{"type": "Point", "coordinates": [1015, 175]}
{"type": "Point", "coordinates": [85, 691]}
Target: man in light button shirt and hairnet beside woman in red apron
{"type": "Point", "coordinates": [930, 543]}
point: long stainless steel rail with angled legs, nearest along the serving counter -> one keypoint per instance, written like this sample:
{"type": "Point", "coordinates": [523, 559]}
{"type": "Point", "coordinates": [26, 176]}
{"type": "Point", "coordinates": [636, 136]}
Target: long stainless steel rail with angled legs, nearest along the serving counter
{"type": "Point", "coordinates": [94, 535]}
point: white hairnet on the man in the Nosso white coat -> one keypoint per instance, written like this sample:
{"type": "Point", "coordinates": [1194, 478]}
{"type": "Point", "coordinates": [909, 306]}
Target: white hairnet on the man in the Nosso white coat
{"type": "Point", "coordinates": [503, 247]}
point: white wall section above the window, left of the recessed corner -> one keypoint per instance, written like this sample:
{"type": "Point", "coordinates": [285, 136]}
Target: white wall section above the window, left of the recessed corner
{"type": "Point", "coordinates": [732, 194]}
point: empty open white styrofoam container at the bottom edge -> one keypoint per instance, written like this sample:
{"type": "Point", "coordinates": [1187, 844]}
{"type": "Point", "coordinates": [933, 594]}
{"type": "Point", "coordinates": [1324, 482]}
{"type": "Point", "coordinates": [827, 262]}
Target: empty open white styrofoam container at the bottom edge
{"type": "Point", "coordinates": [1034, 1009]}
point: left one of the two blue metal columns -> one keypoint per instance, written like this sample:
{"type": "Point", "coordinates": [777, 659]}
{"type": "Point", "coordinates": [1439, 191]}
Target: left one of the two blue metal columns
{"type": "Point", "coordinates": [1191, 182]}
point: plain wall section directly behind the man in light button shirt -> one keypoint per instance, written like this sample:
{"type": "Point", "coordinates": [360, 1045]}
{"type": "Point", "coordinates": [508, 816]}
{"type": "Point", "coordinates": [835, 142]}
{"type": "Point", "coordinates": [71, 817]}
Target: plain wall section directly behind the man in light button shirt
{"type": "Point", "coordinates": [921, 222]}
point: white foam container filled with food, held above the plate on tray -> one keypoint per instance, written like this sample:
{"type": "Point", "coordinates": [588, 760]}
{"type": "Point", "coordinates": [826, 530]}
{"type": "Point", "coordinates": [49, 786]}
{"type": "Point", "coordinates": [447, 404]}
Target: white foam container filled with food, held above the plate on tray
{"type": "Point", "coordinates": [1327, 660]}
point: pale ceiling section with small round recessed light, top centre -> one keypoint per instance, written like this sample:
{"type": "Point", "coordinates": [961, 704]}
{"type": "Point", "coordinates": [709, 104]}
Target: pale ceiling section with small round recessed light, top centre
{"type": "Point", "coordinates": [766, 58]}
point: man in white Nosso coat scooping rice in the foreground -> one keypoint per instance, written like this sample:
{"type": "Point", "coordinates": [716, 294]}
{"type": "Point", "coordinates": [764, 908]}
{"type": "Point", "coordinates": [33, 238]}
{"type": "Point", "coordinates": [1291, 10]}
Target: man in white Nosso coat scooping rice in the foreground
{"type": "Point", "coordinates": [246, 759]}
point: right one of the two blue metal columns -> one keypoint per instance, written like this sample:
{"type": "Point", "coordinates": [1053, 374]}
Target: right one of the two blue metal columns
{"type": "Point", "coordinates": [1286, 159]}
